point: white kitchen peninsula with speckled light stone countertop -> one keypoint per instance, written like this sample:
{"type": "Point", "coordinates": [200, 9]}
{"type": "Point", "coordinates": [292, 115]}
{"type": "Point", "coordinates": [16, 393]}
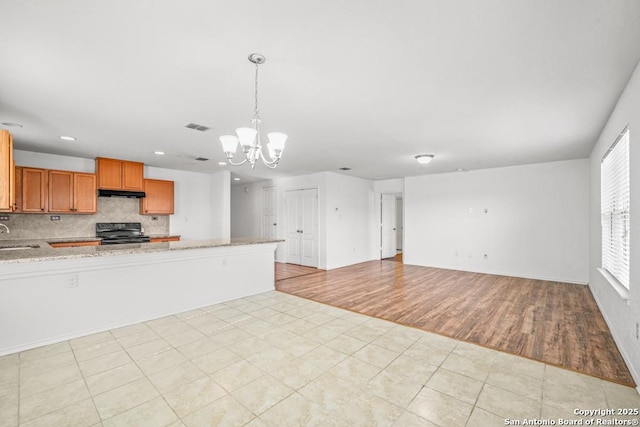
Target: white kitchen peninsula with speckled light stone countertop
{"type": "Point", "coordinates": [55, 294]}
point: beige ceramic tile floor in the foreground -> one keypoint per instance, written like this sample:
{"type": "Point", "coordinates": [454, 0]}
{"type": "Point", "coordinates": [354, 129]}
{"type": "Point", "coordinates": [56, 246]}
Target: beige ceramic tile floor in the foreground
{"type": "Point", "coordinates": [277, 360]}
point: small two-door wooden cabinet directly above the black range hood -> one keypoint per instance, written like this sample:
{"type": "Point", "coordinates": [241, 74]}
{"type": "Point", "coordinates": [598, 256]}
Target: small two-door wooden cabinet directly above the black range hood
{"type": "Point", "coordinates": [114, 174]}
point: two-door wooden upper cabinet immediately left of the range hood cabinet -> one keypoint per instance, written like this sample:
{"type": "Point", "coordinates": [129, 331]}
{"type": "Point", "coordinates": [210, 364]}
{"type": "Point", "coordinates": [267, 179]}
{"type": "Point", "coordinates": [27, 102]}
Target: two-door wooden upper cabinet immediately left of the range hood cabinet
{"type": "Point", "coordinates": [72, 192]}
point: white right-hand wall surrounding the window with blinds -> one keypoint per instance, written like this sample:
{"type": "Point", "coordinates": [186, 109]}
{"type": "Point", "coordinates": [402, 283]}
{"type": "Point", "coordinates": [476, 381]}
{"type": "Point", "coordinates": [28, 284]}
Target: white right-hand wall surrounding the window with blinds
{"type": "Point", "coordinates": [622, 316]}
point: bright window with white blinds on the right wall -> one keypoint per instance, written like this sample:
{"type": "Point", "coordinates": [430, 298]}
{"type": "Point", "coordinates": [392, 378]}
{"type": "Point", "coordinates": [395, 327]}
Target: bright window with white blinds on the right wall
{"type": "Point", "coordinates": [614, 182]}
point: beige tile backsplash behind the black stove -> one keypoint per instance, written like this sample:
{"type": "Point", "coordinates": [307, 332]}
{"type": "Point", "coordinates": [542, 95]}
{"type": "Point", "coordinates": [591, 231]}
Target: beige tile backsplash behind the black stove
{"type": "Point", "coordinates": [114, 209]}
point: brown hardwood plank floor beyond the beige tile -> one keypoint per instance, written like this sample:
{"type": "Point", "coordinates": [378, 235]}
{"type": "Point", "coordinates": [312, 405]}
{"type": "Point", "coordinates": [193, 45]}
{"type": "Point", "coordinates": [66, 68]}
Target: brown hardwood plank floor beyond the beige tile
{"type": "Point", "coordinates": [556, 323]}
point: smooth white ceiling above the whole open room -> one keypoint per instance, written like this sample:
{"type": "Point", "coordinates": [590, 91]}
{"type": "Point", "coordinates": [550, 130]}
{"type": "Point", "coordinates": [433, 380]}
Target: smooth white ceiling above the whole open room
{"type": "Point", "coordinates": [354, 83]}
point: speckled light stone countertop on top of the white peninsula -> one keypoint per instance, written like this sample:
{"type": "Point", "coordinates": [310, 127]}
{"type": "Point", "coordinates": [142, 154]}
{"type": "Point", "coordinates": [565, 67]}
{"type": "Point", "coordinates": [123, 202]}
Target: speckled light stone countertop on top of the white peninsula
{"type": "Point", "coordinates": [46, 253]}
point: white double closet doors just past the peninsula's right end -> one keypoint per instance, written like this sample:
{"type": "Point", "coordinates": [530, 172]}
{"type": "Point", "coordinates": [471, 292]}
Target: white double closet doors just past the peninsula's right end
{"type": "Point", "coordinates": [302, 227]}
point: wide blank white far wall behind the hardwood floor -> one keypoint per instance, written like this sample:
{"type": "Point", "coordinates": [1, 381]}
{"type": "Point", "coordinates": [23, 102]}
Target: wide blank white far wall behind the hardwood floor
{"type": "Point", "coordinates": [536, 225]}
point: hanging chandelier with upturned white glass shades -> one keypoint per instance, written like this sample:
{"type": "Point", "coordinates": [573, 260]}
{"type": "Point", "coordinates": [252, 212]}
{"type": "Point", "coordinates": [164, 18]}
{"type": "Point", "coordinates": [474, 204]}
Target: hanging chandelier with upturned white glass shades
{"type": "Point", "coordinates": [249, 137]}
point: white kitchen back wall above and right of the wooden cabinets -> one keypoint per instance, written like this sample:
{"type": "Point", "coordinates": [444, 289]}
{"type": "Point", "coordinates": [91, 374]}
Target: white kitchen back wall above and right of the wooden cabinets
{"type": "Point", "coordinates": [201, 200]}
